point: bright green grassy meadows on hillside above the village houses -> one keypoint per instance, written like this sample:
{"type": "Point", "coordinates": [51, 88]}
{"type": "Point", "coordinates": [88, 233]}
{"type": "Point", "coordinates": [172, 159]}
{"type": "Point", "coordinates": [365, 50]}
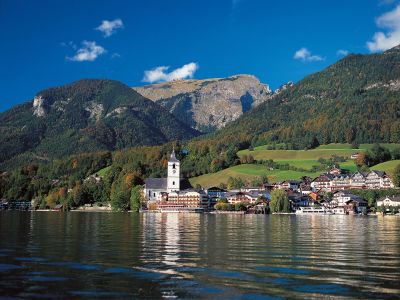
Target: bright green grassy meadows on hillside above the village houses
{"type": "Point", "coordinates": [298, 158]}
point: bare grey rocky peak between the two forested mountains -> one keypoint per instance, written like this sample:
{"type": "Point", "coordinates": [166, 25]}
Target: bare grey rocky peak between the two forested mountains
{"type": "Point", "coordinates": [208, 104]}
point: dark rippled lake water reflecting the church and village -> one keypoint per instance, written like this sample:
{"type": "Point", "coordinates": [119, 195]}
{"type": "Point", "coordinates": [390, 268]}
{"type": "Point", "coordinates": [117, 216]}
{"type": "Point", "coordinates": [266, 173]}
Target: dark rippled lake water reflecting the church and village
{"type": "Point", "coordinates": [122, 255]}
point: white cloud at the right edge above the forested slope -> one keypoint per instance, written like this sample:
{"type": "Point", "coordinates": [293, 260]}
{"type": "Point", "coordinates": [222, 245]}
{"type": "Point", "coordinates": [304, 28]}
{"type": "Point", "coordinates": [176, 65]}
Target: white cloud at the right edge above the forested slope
{"type": "Point", "coordinates": [382, 41]}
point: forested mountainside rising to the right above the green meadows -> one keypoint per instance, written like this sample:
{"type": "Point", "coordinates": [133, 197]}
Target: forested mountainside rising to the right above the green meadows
{"type": "Point", "coordinates": [354, 100]}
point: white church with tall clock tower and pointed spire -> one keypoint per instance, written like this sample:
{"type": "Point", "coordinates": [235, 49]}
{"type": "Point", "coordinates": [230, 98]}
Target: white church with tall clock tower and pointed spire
{"type": "Point", "coordinates": [155, 187]}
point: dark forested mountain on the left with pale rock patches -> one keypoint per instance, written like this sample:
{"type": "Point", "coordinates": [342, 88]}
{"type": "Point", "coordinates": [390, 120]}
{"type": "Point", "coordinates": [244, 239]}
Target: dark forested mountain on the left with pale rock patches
{"type": "Point", "coordinates": [87, 115]}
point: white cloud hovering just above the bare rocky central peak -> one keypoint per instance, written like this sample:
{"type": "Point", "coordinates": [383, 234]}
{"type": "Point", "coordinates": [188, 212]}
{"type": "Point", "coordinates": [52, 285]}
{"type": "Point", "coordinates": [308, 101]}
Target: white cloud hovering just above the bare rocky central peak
{"type": "Point", "coordinates": [160, 73]}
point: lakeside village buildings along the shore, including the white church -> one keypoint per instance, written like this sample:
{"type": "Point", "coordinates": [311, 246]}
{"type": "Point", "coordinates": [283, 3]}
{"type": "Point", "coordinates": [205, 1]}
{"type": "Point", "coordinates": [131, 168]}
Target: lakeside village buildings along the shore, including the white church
{"type": "Point", "coordinates": [329, 193]}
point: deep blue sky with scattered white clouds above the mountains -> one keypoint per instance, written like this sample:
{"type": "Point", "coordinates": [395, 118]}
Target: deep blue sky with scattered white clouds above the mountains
{"type": "Point", "coordinates": [54, 42]}
